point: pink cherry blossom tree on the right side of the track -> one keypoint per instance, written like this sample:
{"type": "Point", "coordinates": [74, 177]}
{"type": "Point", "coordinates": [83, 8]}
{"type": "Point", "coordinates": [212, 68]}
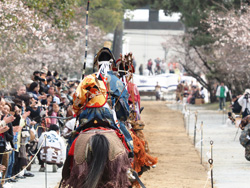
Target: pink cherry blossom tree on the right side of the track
{"type": "Point", "coordinates": [226, 59]}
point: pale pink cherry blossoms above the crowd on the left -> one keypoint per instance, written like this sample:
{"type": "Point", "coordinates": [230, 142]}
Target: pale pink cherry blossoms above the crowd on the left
{"type": "Point", "coordinates": [28, 41]}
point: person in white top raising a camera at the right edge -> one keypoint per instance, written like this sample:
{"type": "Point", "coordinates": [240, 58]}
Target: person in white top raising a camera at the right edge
{"type": "Point", "coordinates": [244, 101]}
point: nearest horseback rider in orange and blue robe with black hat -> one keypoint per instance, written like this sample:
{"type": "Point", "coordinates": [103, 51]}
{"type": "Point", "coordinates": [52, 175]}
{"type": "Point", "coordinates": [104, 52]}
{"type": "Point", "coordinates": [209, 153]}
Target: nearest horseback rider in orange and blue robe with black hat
{"type": "Point", "coordinates": [106, 98]}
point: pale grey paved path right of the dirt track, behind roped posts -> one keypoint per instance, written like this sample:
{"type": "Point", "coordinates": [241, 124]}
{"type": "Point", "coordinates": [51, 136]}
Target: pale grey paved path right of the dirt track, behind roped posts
{"type": "Point", "coordinates": [230, 168]}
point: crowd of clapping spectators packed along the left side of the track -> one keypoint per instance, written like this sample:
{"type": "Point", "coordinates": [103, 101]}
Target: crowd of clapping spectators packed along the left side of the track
{"type": "Point", "coordinates": [26, 114]}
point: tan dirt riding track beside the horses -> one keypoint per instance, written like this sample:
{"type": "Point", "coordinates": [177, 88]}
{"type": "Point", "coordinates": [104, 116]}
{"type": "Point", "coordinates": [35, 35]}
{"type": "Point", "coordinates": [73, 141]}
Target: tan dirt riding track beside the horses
{"type": "Point", "coordinates": [178, 161]}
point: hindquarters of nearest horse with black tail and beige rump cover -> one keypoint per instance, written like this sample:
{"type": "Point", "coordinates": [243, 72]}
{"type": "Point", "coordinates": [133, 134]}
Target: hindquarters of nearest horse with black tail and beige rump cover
{"type": "Point", "coordinates": [97, 159]}
